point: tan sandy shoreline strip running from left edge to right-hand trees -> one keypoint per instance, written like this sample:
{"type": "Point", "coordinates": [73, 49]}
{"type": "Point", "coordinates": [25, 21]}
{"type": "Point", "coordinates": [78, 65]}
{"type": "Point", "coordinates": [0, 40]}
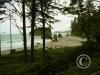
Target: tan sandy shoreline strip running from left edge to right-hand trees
{"type": "Point", "coordinates": [68, 41]}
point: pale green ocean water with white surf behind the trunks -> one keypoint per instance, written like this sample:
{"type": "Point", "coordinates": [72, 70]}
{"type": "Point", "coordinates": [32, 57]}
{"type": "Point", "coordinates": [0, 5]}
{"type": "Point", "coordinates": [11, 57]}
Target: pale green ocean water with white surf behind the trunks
{"type": "Point", "coordinates": [17, 41]}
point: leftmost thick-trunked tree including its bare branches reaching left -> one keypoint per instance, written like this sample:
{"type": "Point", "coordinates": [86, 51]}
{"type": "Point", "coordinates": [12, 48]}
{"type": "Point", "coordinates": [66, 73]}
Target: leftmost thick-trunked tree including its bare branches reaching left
{"type": "Point", "coordinates": [22, 15]}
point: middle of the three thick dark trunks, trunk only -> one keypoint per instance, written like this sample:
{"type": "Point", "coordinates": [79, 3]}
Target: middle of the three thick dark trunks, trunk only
{"type": "Point", "coordinates": [32, 30]}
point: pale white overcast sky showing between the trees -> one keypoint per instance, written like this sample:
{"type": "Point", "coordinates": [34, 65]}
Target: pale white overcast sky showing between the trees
{"type": "Point", "coordinates": [63, 25]}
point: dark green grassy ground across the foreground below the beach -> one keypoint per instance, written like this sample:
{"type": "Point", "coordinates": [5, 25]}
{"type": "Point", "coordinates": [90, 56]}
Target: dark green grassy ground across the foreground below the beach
{"type": "Point", "coordinates": [61, 61]}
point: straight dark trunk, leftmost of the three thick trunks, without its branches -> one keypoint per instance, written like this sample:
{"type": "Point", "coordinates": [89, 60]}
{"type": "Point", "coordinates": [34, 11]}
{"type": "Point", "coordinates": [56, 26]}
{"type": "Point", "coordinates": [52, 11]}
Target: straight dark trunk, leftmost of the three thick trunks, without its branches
{"type": "Point", "coordinates": [24, 32]}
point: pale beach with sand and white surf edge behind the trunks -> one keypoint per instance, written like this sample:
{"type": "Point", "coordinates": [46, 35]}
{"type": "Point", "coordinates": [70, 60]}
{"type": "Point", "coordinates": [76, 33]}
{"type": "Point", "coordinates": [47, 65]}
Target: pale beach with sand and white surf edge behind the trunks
{"type": "Point", "coordinates": [66, 41]}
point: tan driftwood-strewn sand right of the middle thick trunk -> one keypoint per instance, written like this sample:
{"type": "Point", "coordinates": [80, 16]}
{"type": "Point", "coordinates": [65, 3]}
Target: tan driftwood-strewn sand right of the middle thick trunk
{"type": "Point", "coordinates": [63, 42]}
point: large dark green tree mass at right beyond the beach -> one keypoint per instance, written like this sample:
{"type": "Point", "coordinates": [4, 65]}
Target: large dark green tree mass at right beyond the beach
{"type": "Point", "coordinates": [87, 22]}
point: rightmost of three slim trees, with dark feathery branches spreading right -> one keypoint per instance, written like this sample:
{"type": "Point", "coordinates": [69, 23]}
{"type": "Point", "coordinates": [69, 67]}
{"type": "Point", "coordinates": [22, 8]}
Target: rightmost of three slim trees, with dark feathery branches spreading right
{"type": "Point", "coordinates": [46, 7]}
